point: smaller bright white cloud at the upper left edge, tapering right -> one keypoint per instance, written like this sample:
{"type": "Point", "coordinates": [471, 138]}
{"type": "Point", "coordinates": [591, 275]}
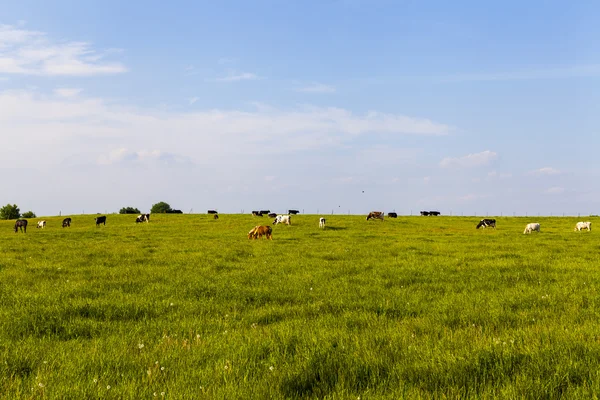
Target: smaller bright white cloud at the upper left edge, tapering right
{"type": "Point", "coordinates": [29, 52]}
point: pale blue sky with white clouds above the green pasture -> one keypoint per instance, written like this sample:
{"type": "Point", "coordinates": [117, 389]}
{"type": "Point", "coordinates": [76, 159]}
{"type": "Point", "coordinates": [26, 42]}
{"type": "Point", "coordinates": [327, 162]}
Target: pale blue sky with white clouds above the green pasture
{"type": "Point", "coordinates": [464, 107]}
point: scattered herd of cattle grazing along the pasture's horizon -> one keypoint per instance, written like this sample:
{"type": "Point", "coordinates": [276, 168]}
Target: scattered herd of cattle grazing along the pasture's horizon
{"type": "Point", "coordinates": [266, 231]}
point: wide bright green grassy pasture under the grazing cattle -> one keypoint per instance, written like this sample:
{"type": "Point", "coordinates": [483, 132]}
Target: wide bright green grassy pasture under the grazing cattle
{"type": "Point", "coordinates": [187, 307]}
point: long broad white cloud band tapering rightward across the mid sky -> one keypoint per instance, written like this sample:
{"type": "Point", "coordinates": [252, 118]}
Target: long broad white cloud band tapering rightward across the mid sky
{"type": "Point", "coordinates": [61, 126]}
